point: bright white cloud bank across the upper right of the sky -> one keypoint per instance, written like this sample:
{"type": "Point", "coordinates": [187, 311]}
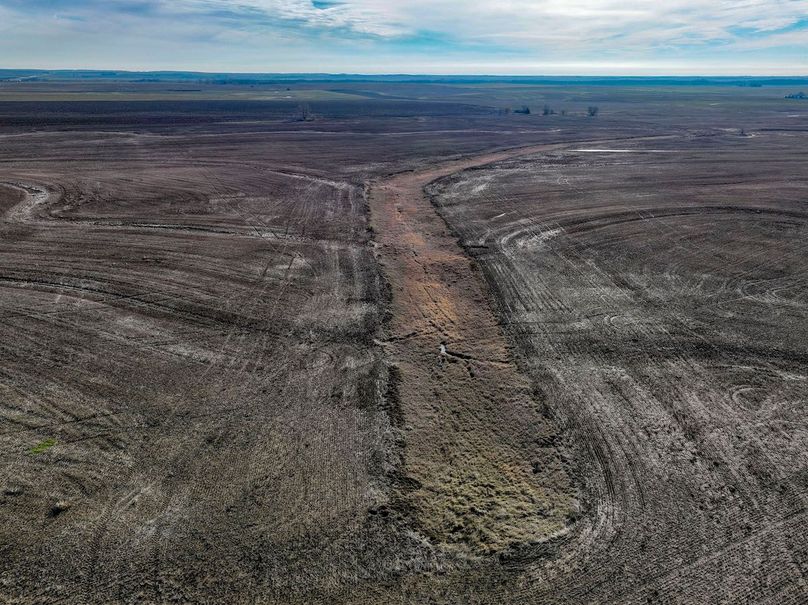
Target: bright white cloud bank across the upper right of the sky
{"type": "Point", "coordinates": [538, 22]}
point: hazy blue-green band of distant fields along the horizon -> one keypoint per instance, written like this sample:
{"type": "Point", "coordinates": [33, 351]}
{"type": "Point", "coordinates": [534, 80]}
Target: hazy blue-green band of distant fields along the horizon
{"type": "Point", "coordinates": [641, 98]}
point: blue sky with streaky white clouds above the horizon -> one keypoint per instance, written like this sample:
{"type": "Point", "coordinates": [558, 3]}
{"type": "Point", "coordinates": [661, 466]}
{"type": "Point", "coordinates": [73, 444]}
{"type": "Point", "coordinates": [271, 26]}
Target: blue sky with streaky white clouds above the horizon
{"type": "Point", "coordinates": [507, 37]}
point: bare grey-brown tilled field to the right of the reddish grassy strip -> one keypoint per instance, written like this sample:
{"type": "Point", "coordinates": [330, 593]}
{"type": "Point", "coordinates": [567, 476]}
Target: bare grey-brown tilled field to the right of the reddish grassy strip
{"type": "Point", "coordinates": [656, 293]}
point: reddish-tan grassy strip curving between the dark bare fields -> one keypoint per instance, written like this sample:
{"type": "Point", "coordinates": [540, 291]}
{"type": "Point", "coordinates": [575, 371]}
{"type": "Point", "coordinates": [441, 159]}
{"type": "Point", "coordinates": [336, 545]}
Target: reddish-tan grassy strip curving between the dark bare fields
{"type": "Point", "coordinates": [483, 472]}
